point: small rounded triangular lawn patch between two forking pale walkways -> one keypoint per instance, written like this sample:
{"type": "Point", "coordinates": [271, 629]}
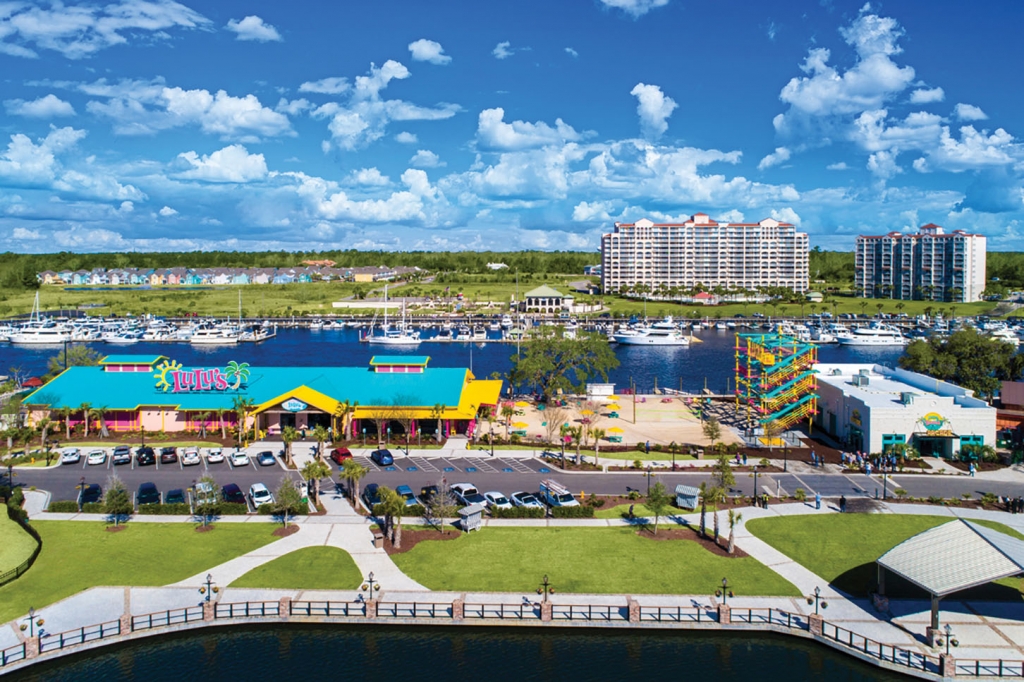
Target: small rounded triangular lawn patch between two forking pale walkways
{"type": "Point", "coordinates": [310, 568]}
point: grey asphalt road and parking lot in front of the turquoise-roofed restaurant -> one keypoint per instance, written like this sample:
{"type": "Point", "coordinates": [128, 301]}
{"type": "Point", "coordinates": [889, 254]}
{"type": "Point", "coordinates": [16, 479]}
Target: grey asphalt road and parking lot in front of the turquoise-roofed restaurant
{"type": "Point", "coordinates": [504, 475]}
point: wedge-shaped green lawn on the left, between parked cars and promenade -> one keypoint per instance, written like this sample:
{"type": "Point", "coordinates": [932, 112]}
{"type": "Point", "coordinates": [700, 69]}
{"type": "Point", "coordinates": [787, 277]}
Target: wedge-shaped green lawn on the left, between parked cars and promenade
{"type": "Point", "coordinates": [77, 556]}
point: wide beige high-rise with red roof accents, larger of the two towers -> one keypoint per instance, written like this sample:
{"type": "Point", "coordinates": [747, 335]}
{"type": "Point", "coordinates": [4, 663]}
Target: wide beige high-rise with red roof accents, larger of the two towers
{"type": "Point", "coordinates": [769, 253]}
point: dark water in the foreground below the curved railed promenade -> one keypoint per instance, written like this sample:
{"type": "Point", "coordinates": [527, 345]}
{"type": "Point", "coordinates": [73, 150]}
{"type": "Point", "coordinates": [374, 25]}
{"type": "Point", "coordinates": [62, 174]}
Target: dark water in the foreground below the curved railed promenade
{"type": "Point", "coordinates": [435, 654]}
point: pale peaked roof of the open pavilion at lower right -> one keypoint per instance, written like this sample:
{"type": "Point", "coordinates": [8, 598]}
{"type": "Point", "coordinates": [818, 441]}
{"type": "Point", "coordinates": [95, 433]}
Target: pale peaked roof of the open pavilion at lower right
{"type": "Point", "coordinates": [956, 557]}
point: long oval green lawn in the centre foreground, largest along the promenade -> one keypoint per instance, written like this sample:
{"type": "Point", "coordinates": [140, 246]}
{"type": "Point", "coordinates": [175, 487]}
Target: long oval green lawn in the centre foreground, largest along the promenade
{"type": "Point", "coordinates": [599, 561]}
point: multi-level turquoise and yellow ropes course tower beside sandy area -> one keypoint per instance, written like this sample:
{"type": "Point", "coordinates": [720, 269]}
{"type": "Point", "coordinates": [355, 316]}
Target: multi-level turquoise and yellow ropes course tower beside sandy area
{"type": "Point", "coordinates": [776, 379]}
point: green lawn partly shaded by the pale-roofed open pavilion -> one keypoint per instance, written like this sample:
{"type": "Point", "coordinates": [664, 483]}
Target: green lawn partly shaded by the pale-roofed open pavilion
{"type": "Point", "coordinates": [843, 548]}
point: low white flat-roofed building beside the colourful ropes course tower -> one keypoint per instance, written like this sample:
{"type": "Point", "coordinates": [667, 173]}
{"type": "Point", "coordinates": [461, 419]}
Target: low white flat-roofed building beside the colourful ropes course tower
{"type": "Point", "coordinates": [870, 408]}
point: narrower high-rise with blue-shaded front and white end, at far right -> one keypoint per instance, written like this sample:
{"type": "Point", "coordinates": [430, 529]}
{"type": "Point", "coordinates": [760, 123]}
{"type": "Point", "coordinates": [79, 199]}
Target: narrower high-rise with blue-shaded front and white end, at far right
{"type": "Point", "coordinates": [930, 266]}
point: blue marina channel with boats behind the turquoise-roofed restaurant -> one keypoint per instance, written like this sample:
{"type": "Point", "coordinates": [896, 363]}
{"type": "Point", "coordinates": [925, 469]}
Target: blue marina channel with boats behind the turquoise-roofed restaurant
{"type": "Point", "coordinates": [709, 364]}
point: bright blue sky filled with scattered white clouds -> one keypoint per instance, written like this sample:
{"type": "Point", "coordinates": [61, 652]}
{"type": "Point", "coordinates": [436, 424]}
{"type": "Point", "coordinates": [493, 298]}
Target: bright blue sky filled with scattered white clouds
{"type": "Point", "coordinates": [403, 124]}
